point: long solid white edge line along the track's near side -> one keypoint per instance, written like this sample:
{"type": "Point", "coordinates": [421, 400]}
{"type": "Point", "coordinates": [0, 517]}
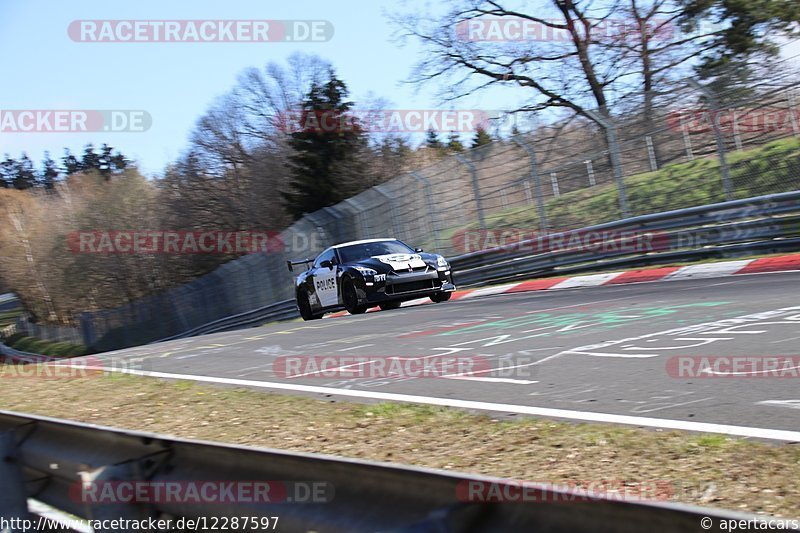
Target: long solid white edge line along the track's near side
{"type": "Point", "coordinates": [586, 416]}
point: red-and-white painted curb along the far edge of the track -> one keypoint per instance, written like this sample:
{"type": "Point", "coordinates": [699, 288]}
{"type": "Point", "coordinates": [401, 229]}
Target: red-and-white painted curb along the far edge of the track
{"type": "Point", "coordinates": [708, 270]}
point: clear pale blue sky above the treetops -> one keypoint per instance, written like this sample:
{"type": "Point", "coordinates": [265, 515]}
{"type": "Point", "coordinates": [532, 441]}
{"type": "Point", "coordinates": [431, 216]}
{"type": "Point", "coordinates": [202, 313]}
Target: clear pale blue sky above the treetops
{"type": "Point", "coordinates": [44, 69]}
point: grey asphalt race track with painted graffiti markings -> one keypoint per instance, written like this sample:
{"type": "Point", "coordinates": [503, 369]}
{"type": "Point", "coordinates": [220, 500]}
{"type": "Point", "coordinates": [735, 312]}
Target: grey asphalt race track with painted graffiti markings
{"type": "Point", "coordinates": [606, 353]}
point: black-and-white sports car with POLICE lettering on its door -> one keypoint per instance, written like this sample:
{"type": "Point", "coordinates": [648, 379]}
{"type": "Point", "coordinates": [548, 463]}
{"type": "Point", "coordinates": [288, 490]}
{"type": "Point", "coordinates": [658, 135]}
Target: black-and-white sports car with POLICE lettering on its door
{"type": "Point", "coordinates": [362, 274]}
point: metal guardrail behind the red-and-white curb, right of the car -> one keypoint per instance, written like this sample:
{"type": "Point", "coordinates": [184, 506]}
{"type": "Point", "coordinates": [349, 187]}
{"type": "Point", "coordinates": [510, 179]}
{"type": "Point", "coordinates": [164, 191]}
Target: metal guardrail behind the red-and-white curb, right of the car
{"type": "Point", "coordinates": [761, 224]}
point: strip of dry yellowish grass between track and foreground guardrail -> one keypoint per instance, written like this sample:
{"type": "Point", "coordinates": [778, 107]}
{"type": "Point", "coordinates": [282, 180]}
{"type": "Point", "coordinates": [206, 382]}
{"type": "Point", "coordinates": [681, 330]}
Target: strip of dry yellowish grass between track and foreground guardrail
{"type": "Point", "coordinates": [707, 470]}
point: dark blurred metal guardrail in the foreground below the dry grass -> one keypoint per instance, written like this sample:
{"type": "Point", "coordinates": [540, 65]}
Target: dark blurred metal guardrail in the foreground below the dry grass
{"type": "Point", "coordinates": [52, 460]}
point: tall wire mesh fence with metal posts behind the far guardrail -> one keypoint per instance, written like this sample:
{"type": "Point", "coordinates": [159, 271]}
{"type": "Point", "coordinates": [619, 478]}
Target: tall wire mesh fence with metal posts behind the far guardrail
{"type": "Point", "coordinates": [693, 149]}
